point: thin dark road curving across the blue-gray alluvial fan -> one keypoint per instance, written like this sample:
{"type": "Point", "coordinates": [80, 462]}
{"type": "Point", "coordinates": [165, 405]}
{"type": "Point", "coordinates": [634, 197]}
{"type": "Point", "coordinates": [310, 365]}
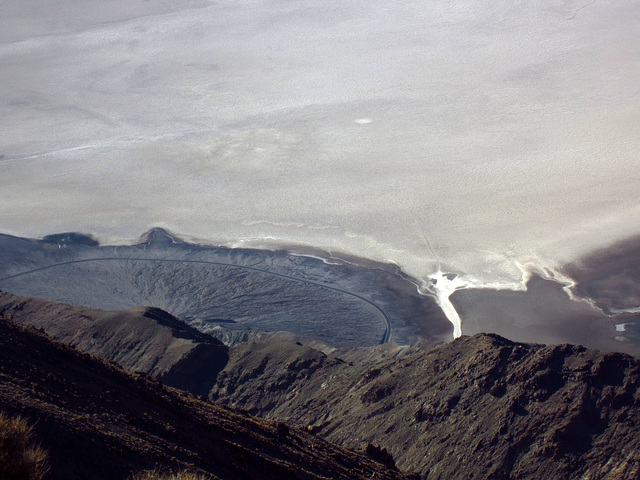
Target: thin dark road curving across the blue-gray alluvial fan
{"type": "Point", "coordinates": [385, 337]}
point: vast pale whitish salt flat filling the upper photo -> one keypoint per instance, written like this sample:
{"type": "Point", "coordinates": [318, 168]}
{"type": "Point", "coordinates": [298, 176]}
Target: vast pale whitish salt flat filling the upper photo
{"type": "Point", "coordinates": [444, 136]}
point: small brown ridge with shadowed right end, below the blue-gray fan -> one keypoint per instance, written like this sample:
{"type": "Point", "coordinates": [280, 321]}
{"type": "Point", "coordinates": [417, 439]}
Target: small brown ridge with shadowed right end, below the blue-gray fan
{"type": "Point", "coordinates": [141, 339]}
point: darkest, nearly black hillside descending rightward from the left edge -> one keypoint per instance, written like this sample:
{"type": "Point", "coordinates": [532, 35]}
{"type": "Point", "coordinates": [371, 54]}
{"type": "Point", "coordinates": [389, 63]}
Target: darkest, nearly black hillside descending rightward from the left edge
{"type": "Point", "coordinates": [98, 421]}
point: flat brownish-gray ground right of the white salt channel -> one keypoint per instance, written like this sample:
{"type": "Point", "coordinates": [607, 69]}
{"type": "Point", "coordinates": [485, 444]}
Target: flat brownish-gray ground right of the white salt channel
{"type": "Point", "coordinates": [599, 309]}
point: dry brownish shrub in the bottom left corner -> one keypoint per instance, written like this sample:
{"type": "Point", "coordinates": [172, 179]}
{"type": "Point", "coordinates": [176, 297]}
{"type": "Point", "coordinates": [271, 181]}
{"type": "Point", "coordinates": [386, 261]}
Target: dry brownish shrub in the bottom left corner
{"type": "Point", "coordinates": [21, 457]}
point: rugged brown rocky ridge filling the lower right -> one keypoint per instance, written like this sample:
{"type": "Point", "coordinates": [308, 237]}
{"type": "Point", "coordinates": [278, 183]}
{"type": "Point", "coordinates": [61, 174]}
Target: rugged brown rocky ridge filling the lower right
{"type": "Point", "coordinates": [479, 407]}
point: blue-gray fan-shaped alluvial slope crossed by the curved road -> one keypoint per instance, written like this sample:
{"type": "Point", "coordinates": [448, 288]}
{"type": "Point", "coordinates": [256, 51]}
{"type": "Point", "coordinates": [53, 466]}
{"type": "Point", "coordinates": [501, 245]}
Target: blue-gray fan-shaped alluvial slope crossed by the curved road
{"type": "Point", "coordinates": [341, 302]}
